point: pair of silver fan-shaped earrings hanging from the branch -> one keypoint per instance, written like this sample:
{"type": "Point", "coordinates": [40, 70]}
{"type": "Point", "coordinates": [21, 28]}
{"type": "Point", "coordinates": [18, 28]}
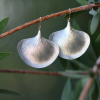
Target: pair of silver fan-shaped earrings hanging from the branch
{"type": "Point", "coordinates": [39, 52]}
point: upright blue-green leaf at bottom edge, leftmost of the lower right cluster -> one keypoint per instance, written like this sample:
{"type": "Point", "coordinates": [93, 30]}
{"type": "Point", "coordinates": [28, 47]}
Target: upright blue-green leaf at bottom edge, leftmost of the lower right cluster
{"type": "Point", "coordinates": [66, 91]}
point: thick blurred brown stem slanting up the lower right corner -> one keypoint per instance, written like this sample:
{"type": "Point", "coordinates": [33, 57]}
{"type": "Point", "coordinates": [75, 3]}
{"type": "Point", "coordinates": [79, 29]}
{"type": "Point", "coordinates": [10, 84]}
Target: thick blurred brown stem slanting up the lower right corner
{"type": "Point", "coordinates": [89, 81]}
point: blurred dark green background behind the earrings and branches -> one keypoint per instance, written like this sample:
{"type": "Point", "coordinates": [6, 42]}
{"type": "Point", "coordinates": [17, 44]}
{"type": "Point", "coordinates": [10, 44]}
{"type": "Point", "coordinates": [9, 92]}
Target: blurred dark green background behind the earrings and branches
{"type": "Point", "coordinates": [34, 87]}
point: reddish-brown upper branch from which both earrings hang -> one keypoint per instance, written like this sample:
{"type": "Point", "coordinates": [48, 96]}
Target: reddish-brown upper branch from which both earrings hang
{"type": "Point", "coordinates": [73, 10]}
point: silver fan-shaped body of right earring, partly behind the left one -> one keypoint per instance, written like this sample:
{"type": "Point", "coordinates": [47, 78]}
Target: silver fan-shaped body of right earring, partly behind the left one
{"type": "Point", "coordinates": [72, 43]}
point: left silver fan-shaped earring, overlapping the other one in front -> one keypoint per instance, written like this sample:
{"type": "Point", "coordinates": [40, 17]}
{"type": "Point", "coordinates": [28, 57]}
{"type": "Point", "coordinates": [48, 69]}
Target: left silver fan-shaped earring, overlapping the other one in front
{"type": "Point", "coordinates": [38, 52]}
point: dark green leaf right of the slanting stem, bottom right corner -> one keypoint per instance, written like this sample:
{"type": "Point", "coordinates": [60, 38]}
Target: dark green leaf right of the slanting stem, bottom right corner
{"type": "Point", "coordinates": [94, 91]}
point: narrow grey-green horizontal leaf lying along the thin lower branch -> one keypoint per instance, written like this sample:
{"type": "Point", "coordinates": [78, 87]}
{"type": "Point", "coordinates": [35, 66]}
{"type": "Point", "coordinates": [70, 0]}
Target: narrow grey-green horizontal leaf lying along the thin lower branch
{"type": "Point", "coordinates": [72, 75]}
